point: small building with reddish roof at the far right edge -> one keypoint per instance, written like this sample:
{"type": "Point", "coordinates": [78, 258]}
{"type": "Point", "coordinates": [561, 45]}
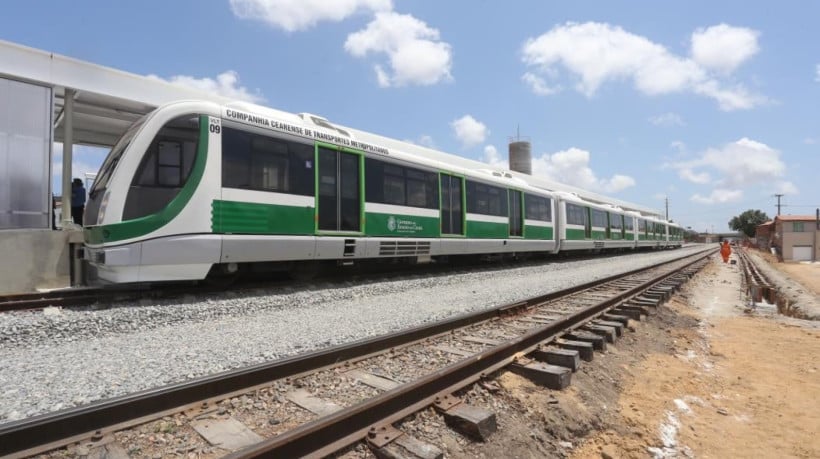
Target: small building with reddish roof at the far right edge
{"type": "Point", "coordinates": [796, 237]}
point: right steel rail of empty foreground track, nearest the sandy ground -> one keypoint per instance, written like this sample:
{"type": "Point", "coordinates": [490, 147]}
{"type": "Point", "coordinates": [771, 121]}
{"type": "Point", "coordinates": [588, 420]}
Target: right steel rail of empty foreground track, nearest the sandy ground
{"type": "Point", "coordinates": [342, 428]}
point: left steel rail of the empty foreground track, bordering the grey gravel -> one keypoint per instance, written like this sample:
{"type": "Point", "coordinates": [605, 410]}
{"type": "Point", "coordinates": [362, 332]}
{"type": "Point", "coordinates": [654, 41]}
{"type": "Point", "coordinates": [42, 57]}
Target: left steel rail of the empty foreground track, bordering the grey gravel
{"type": "Point", "coordinates": [80, 422]}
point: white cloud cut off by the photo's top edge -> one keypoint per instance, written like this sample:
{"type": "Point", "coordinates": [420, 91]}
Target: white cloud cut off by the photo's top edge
{"type": "Point", "coordinates": [295, 15]}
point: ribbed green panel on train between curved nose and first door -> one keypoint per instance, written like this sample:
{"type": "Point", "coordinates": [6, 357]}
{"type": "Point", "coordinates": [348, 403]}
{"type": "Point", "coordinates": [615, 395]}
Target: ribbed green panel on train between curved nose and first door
{"type": "Point", "coordinates": [252, 218]}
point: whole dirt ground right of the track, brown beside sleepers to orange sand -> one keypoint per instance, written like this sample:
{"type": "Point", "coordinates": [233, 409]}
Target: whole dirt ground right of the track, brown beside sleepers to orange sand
{"type": "Point", "coordinates": [703, 377]}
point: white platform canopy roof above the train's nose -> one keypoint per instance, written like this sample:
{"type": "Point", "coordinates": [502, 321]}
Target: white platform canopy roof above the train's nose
{"type": "Point", "coordinates": [106, 100]}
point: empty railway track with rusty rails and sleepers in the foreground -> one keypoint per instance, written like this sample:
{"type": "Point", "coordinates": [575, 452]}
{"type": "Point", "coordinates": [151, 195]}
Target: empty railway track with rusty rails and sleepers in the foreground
{"type": "Point", "coordinates": [361, 391]}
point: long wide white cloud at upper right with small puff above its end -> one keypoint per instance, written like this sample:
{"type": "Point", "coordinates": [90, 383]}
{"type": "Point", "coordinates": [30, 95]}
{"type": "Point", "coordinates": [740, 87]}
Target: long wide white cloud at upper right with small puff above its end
{"type": "Point", "coordinates": [598, 52]}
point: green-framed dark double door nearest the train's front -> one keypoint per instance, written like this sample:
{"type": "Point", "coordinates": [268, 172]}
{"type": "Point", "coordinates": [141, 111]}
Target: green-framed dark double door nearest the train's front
{"type": "Point", "coordinates": [339, 204]}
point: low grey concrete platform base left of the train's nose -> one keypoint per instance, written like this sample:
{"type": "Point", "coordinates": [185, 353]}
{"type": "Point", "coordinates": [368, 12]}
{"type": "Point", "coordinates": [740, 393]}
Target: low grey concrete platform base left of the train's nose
{"type": "Point", "coordinates": [32, 260]}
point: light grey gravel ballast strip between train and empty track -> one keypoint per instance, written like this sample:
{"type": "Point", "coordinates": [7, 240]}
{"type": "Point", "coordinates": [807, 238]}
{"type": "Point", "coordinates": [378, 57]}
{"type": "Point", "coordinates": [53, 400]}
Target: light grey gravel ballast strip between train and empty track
{"type": "Point", "coordinates": [58, 358]}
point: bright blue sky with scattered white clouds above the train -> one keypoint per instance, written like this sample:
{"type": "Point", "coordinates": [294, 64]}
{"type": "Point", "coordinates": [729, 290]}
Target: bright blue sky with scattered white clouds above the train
{"type": "Point", "coordinates": [711, 104]}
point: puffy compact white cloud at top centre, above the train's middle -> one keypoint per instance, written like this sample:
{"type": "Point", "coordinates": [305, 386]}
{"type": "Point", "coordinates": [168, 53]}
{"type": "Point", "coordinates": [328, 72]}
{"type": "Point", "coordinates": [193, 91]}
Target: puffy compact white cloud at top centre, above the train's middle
{"type": "Point", "coordinates": [414, 51]}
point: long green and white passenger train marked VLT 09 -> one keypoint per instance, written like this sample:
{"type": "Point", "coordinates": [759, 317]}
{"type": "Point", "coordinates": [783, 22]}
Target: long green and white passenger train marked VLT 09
{"type": "Point", "coordinates": [197, 189]}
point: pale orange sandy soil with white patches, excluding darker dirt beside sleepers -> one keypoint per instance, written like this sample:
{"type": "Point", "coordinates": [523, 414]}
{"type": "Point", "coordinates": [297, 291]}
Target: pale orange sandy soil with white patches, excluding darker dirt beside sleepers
{"type": "Point", "coordinates": [739, 384]}
